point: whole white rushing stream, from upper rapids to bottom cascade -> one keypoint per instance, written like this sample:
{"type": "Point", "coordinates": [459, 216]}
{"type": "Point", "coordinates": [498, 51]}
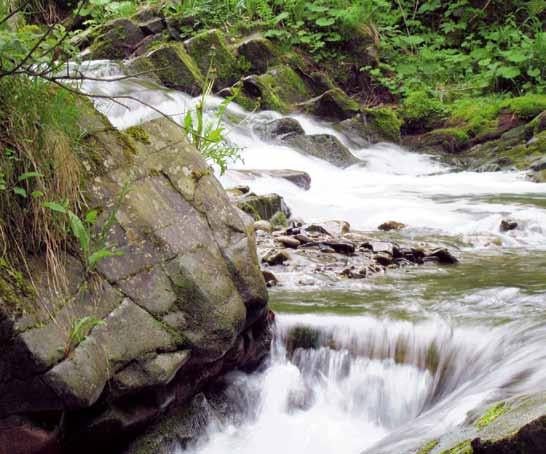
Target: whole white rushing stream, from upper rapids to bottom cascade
{"type": "Point", "coordinates": [403, 357]}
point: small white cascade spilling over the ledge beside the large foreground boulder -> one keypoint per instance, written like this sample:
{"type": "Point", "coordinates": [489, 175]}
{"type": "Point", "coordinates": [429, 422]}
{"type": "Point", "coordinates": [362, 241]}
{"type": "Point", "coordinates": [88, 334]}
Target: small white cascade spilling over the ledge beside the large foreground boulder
{"type": "Point", "coordinates": [342, 384]}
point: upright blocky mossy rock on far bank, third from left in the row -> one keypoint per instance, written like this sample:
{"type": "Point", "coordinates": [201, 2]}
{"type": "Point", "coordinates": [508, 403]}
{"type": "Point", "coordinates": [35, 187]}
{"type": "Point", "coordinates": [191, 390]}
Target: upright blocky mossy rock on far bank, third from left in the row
{"type": "Point", "coordinates": [210, 51]}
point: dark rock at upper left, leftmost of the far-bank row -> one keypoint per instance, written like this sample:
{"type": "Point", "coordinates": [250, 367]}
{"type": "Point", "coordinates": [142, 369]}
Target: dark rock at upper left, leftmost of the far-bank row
{"type": "Point", "coordinates": [117, 40]}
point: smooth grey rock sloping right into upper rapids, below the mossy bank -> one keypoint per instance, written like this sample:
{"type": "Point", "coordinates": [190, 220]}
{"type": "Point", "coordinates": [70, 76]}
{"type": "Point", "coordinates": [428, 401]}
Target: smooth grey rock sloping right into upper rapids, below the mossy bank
{"type": "Point", "coordinates": [324, 146]}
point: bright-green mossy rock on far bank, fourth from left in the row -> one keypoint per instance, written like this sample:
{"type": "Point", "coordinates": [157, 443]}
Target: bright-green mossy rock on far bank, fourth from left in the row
{"type": "Point", "coordinates": [279, 89]}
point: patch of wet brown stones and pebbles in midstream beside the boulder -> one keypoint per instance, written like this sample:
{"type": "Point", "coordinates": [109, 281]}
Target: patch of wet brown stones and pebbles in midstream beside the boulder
{"type": "Point", "coordinates": [324, 254]}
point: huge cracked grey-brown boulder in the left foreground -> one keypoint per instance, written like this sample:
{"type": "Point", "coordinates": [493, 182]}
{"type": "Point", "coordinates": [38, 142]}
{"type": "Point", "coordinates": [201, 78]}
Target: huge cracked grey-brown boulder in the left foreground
{"type": "Point", "coordinates": [179, 303]}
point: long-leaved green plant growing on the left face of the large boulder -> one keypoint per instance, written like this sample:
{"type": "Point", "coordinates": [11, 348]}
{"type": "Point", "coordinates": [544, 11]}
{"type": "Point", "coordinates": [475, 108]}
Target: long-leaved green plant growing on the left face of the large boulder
{"type": "Point", "coordinates": [92, 246]}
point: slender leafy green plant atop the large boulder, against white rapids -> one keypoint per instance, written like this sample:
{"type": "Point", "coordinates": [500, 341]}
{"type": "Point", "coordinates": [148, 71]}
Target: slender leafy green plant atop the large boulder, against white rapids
{"type": "Point", "coordinates": [208, 136]}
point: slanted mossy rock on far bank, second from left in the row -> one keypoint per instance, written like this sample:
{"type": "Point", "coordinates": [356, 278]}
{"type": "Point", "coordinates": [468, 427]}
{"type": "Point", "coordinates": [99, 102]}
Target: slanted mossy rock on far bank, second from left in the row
{"type": "Point", "coordinates": [175, 68]}
